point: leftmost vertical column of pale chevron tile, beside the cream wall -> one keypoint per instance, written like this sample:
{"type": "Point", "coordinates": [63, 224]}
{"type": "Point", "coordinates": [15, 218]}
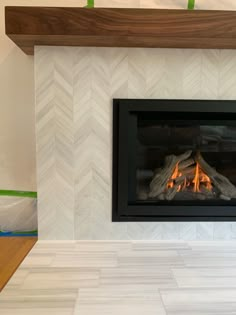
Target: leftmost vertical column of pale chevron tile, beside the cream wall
{"type": "Point", "coordinates": [55, 143]}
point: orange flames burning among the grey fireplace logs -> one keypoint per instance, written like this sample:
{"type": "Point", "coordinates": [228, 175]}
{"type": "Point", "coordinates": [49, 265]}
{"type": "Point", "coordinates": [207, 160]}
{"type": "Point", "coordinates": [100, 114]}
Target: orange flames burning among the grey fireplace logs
{"type": "Point", "coordinates": [198, 181]}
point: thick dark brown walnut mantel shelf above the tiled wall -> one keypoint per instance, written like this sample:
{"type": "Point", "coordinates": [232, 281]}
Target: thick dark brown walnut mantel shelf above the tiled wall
{"type": "Point", "coordinates": [30, 26]}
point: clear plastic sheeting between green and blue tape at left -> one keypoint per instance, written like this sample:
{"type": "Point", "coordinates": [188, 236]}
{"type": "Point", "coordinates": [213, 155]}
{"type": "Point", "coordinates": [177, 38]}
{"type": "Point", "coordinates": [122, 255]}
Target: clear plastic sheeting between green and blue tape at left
{"type": "Point", "coordinates": [18, 214]}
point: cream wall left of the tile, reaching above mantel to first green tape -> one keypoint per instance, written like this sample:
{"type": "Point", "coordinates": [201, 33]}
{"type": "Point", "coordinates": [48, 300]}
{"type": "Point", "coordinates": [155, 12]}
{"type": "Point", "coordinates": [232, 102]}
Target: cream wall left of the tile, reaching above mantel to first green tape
{"type": "Point", "coordinates": [17, 119]}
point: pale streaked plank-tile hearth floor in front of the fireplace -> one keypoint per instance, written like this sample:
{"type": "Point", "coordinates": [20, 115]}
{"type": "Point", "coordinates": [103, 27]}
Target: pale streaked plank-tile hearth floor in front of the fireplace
{"type": "Point", "coordinates": [124, 278]}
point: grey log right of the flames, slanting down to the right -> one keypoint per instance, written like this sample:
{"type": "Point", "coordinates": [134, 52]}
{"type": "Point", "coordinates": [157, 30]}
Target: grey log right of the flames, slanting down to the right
{"type": "Point", "coordinates": [222, 183]}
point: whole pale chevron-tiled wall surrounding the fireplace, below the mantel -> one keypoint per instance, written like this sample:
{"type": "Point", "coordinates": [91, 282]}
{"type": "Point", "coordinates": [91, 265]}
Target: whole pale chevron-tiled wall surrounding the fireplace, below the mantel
{"type": "Point", "coordinates": [74, 92]}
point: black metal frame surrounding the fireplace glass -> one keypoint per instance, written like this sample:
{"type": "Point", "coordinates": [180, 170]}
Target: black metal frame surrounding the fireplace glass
{"type": "Point", "coordinates": [125, 210]}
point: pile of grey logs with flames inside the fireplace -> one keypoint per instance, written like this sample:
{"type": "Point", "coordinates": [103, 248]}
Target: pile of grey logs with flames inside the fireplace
{"type": "Point", "coordinates": [164, 187]}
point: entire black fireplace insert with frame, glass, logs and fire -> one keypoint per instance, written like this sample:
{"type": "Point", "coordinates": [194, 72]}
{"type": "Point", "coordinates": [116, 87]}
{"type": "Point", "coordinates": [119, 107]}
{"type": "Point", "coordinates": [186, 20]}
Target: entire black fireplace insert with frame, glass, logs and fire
{"type": "Point", "coordinates": [174, 160]}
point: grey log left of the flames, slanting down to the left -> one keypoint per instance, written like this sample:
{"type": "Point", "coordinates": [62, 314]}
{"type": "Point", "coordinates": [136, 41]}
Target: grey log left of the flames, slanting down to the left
{"type": "Point", "coordinates": [160, 179]}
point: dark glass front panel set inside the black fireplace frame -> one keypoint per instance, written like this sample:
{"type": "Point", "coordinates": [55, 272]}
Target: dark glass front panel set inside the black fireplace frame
{"type": "Point", "coordinates": [182, 158]}
